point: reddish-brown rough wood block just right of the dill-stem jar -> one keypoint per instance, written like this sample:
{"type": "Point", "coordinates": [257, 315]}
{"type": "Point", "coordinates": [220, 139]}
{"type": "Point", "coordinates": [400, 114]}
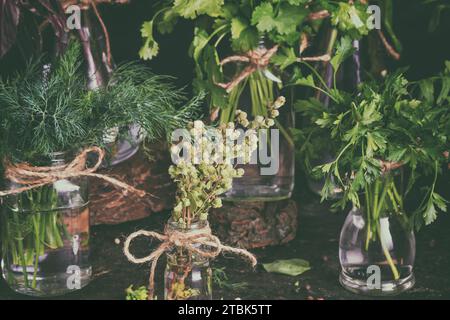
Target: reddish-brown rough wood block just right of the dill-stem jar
{"type": "Point", "coordinates": [109, 206]}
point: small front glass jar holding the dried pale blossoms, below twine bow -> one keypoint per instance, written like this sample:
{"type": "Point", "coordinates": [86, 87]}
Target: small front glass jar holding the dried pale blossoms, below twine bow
{"type": "Point", "coordinates": [187, 276]}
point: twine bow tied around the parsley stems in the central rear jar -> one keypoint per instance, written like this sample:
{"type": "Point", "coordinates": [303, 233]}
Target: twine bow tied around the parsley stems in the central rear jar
{"type": "Point", "coordinates": [257, 59]}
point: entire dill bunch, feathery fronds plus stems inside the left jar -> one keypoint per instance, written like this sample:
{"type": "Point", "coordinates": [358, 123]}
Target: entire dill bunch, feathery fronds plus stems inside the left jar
{"type": "Point", "coordinates": [47, 111]}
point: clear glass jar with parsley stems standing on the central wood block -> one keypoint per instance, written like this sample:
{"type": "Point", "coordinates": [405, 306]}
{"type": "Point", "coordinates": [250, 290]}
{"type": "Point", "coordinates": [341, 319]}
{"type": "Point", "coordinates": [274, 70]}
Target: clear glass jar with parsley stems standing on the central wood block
{"type": "Point", "coordinates": [271, 177]}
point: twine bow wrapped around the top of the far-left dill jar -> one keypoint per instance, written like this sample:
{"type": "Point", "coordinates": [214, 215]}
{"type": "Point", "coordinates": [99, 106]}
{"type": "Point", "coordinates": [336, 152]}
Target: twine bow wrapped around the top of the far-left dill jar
{"type": "Point", "coordinates": [32, 177]}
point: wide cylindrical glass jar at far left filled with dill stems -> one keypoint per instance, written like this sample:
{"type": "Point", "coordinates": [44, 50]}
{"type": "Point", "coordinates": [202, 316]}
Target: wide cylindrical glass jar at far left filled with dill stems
{"type": "Point", "coordinates": [45, 237]}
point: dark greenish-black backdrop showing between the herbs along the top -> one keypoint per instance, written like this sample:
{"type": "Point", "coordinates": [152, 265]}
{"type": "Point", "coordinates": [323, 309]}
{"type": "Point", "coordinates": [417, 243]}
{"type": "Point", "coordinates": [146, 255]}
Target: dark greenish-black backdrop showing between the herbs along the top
{"type": "Point", "coordinates": [423, 51]}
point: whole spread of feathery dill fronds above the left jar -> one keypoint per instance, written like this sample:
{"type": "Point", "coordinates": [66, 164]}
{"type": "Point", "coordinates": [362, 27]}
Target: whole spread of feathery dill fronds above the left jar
{"type": "Point", "coordinates": [48, 108]}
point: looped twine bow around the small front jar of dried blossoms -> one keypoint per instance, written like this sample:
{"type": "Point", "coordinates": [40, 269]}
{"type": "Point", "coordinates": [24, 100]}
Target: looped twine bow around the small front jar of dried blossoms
{"type": "Point", "coordinates": [199, 241]}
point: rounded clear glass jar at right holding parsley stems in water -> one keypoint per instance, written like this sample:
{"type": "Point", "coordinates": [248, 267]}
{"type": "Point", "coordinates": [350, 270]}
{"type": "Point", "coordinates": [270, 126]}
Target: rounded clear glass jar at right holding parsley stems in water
{"type": "Point", "coordinates": [377, 244]}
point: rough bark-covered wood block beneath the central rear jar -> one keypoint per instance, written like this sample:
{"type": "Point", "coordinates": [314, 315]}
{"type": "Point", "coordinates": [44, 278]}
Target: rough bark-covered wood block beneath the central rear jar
{"type": "Point", "coordinates": [255, 224]}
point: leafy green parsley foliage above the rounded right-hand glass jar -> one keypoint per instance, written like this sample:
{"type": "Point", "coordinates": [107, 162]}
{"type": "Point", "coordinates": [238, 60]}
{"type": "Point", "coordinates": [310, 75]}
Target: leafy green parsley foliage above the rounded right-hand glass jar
{"type": "Point", "coordinates": [382, 125]}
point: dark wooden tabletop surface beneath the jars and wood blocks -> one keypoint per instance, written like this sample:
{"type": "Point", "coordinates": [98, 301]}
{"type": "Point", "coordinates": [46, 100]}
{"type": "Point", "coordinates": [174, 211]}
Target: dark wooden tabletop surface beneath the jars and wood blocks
{"type": "Point", "coordinates": [316, 241]}
